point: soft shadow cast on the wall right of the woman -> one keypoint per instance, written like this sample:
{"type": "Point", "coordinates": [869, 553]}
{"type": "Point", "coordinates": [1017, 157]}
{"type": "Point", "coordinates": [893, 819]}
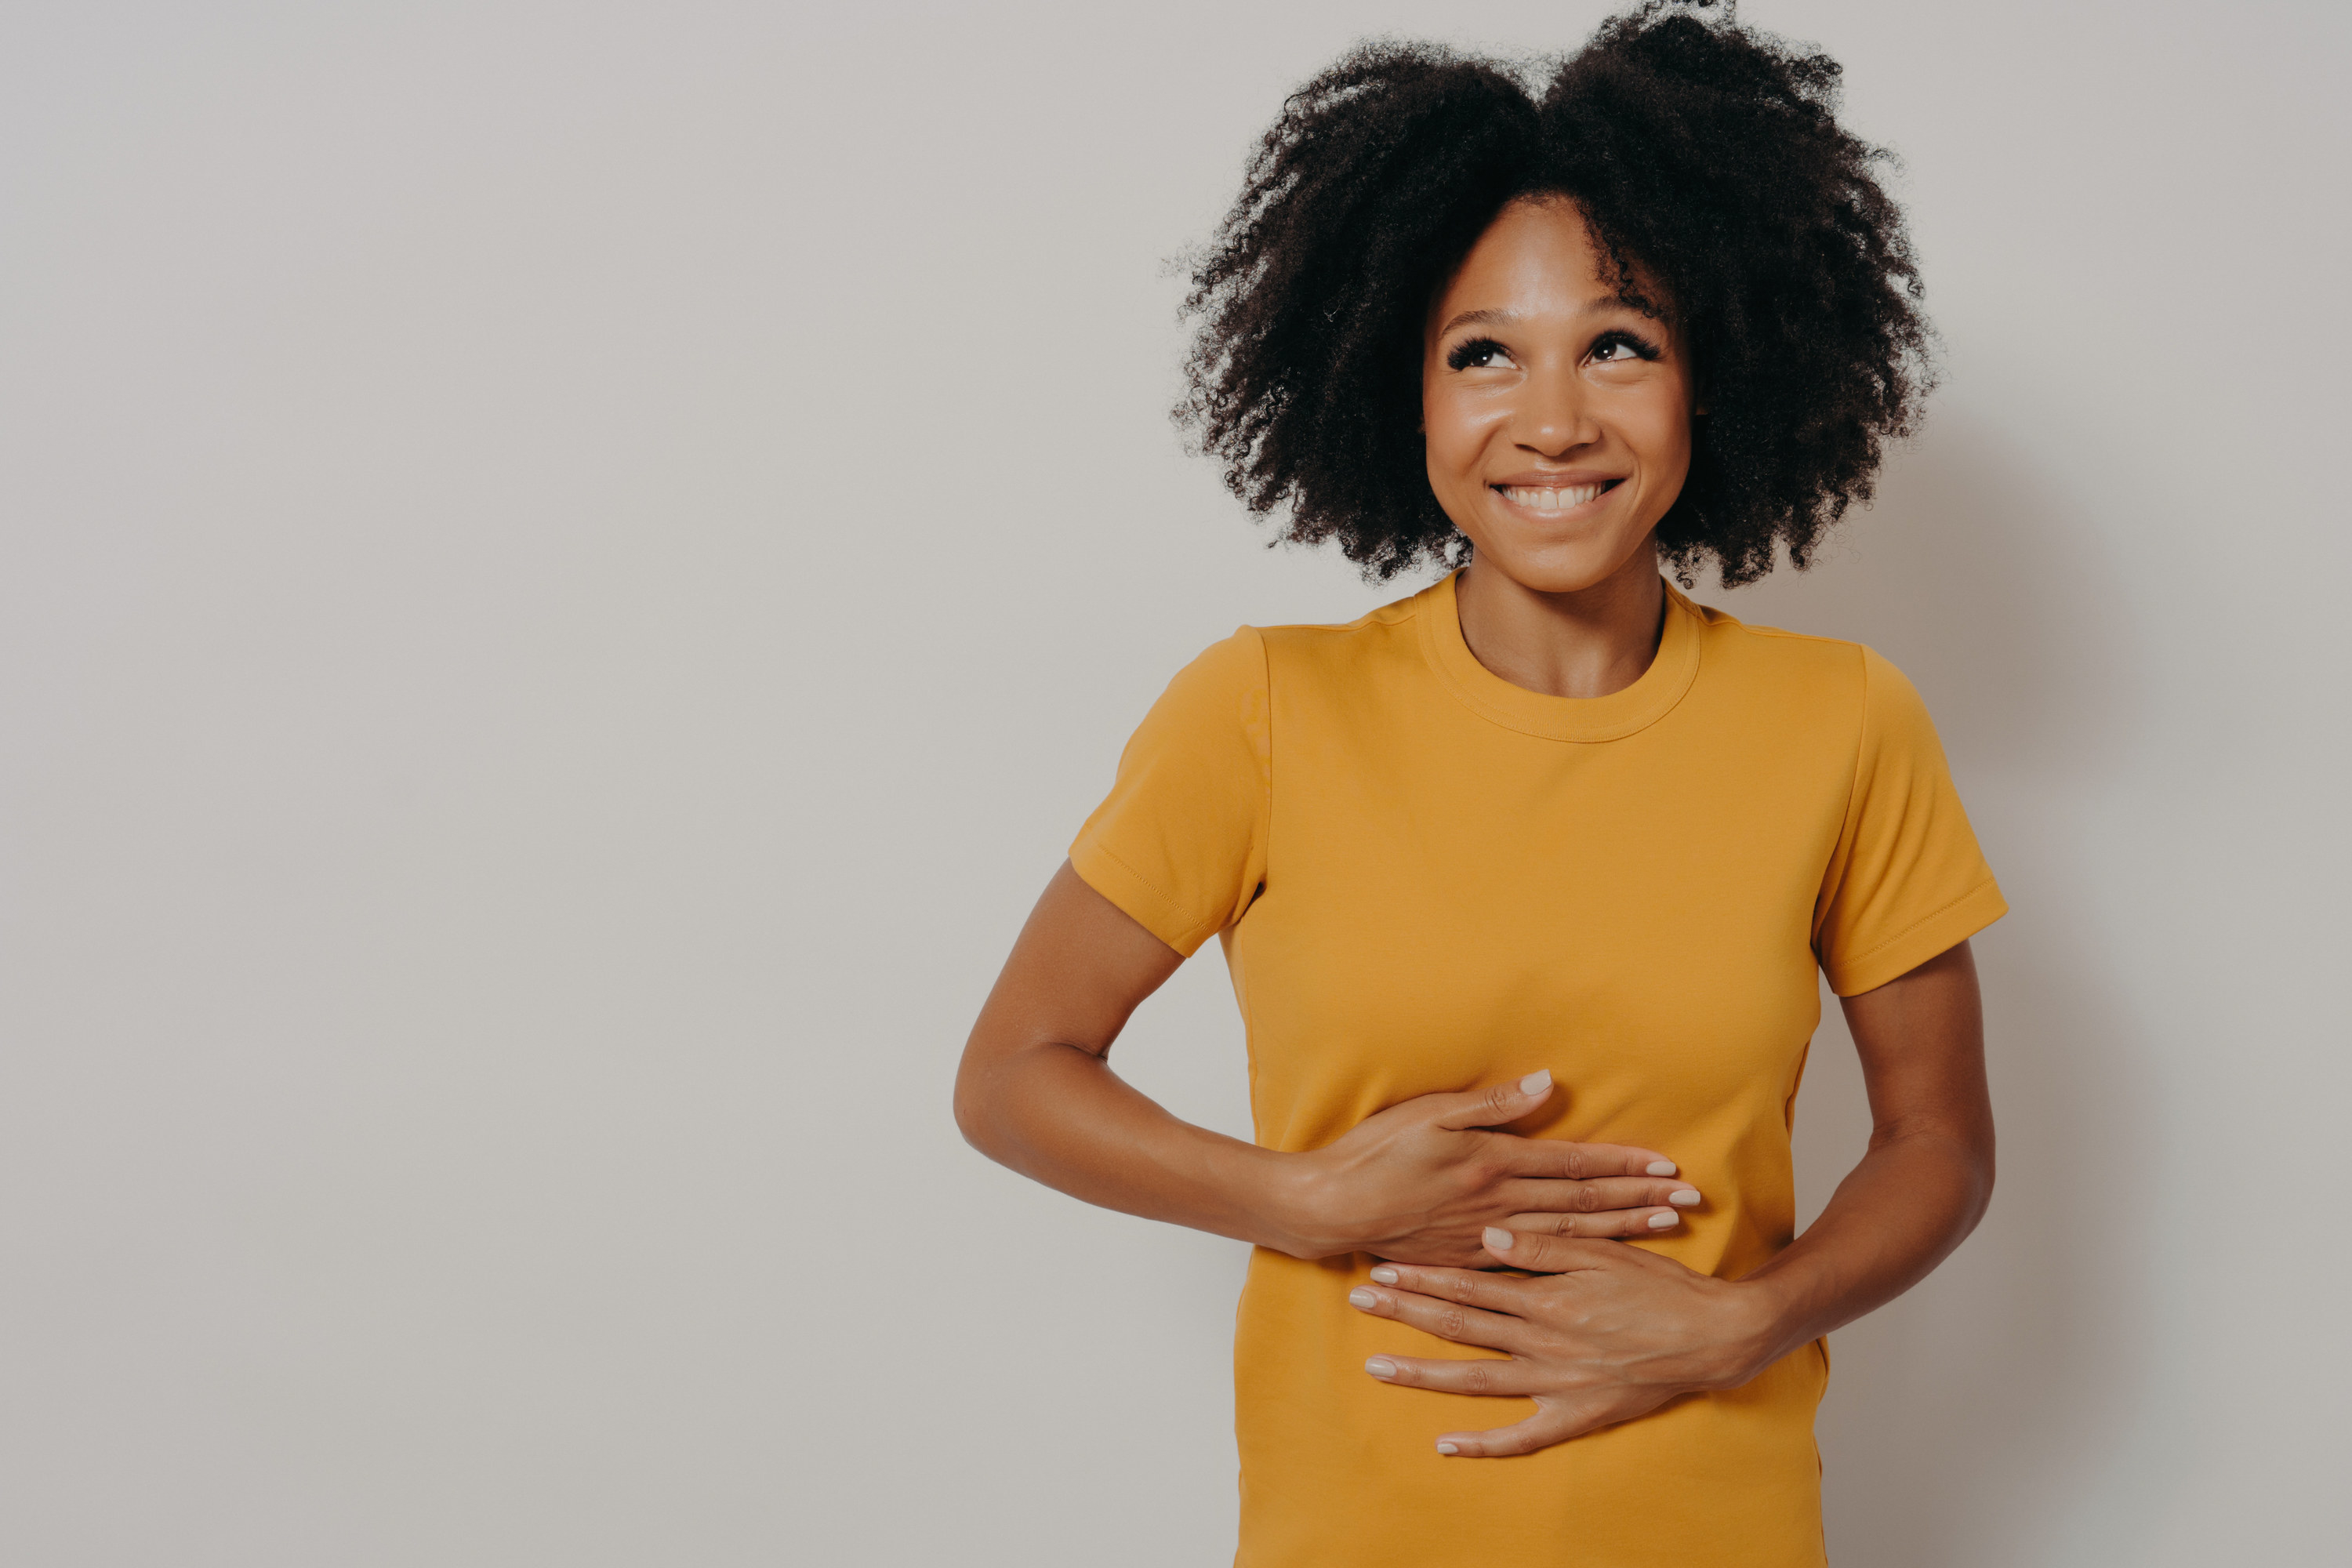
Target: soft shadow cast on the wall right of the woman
{"type": "Point", "coordinates": [1965, 1416]}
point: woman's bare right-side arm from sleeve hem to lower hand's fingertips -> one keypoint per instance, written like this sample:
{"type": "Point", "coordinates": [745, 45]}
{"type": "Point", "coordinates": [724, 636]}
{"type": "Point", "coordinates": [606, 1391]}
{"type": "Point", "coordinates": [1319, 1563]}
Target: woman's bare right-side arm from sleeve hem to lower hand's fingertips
{"type": "Point", "coordinates": [1615, 1332]}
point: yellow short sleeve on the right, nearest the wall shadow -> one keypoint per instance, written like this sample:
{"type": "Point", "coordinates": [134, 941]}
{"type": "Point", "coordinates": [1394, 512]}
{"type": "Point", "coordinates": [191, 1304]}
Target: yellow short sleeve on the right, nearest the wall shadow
{"type": "Point", "coordinates": [1906, 878]}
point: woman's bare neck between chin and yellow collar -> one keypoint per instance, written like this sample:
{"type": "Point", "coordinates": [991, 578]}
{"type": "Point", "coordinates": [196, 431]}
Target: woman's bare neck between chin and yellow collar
{"type": "Point", "coordinates": [1584, 643]}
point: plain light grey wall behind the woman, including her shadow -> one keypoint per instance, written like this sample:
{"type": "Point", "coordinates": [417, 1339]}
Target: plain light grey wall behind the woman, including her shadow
{"type": "Point", "coordinates": [573, 568]}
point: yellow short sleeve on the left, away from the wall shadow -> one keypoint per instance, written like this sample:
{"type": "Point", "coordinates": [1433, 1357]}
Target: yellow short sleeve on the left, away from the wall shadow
{"type": "Point", "coordinates": [1182, 838]}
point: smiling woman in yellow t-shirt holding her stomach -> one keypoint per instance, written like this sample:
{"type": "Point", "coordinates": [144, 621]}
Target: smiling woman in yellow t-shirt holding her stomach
{"type": "Point", "coordinates": [1525, 878]}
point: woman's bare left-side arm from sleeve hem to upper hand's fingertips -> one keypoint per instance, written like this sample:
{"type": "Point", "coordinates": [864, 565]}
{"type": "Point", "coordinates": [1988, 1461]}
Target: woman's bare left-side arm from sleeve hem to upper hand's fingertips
{"type": "Point", "coordinates": [1417, 1181]}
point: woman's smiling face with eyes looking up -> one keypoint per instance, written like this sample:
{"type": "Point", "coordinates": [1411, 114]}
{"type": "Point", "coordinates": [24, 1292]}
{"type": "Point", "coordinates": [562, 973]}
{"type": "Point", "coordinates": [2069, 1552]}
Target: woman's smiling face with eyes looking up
{"type": "Point", "coordinates": [1558, 420]}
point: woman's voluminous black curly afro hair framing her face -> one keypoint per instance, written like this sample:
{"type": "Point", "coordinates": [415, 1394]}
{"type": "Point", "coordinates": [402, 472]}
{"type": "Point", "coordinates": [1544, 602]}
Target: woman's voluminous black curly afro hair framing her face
{"type": "Point", "coordinates": [1709, 166]}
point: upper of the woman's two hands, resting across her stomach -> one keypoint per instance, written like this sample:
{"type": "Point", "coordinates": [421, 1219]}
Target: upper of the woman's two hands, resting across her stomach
{"type": "Point", "coordinates": [1419, 1181]}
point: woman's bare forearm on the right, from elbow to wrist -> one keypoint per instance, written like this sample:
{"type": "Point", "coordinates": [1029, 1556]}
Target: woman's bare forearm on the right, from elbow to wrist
{"type": "Point", "coordinates": [1899, 1214]}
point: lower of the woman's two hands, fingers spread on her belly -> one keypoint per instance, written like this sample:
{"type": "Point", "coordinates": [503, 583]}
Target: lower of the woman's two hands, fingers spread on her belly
{"type": "Point", "coordinates": [1608, 1334]}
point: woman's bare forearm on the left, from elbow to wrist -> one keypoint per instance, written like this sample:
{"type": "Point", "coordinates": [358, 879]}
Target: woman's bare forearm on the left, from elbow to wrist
{"type": "Point", "coordinates": [1064, 1118]}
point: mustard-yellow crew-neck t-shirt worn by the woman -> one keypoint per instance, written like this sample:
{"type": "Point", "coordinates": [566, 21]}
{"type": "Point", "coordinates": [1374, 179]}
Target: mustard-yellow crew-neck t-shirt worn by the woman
{"type": "Point", "coordinates": [1434, 880]}
